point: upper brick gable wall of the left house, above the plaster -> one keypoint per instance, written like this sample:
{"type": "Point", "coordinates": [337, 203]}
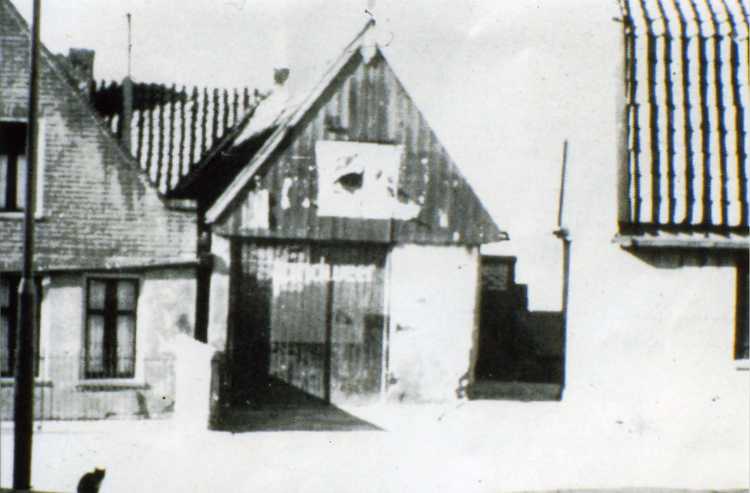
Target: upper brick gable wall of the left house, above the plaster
{"type": "Point", "coordinates": [99, 209]}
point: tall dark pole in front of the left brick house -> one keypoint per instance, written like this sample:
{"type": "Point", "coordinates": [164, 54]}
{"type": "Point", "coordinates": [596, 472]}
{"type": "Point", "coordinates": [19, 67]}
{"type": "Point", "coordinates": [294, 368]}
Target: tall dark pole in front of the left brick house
{"type": "Point", "coordinates": [23, 410]}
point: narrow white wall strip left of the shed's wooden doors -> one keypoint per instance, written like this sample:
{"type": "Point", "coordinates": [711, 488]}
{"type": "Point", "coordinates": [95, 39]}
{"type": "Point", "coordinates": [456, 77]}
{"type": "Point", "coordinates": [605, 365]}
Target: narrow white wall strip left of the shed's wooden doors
{"type": "Point", "coordinates": [219, 295]}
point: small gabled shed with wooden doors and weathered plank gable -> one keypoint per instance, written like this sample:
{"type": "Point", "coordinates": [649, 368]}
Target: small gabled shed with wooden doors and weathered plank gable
{"type": "Point", "coordinates": [345, 243]}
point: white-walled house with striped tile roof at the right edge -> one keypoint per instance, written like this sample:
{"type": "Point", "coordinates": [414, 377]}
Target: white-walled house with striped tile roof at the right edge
{"type": "Point", "coordinates": [658, 322]}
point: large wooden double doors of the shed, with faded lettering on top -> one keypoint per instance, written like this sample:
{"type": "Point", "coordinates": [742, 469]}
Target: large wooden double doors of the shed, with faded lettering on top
{"type": "Point", "coordinates": [312, 315]}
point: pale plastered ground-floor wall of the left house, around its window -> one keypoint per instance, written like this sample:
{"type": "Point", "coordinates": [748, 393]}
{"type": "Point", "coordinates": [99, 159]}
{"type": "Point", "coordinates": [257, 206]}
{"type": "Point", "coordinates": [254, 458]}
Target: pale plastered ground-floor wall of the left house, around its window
{"type": "Point", "coordinates": [166, 307]}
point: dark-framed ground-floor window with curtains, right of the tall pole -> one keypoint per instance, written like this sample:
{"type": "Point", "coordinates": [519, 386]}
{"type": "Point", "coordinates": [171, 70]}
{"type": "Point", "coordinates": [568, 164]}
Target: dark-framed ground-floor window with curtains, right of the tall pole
{"type": "Point", "coordinates": [111, 306]}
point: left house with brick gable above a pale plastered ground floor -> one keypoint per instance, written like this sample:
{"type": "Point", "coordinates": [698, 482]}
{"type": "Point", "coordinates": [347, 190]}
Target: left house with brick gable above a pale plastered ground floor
{"type": "Point", "coordinates": [114, 261]}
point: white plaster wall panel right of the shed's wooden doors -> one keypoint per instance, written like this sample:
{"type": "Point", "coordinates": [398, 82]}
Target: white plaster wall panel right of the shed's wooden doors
{"type": "Point", "coordinates": [433, 296]}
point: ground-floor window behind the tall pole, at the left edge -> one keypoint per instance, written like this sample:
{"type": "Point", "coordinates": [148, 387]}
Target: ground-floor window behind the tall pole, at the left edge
{"type": "Point", "coordinates": [9, 321]}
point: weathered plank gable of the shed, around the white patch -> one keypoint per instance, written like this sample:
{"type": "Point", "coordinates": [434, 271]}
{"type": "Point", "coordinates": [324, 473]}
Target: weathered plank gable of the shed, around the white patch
{"type": "Point", "coordinates": [366, 103]}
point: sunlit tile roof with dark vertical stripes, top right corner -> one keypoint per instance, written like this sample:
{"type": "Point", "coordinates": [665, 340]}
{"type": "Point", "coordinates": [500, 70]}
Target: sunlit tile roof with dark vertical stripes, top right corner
{"type": "Point", "coordinates": [687, 111]}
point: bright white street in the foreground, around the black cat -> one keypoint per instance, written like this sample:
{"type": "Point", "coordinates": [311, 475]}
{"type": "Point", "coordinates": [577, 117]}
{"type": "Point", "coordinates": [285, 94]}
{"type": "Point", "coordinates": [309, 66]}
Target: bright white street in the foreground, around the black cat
{"type": "Point", "coordinates": [469, 447]}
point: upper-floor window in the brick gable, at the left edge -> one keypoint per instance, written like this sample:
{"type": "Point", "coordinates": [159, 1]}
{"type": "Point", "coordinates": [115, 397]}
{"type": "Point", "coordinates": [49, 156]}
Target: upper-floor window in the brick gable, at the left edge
{"type": "Point", "coordinates": [12, 165]}
